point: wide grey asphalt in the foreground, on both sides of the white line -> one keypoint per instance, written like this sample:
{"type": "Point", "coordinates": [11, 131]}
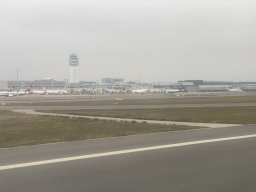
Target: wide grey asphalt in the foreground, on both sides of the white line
{"type": "Point", "coordinates": [215, 166]}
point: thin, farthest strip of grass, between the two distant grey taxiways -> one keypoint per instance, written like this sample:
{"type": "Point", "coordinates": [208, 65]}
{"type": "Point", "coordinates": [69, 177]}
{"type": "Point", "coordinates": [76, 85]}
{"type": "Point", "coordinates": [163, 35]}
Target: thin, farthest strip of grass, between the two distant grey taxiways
{"type": "Point", "coordinates": [180, 100]}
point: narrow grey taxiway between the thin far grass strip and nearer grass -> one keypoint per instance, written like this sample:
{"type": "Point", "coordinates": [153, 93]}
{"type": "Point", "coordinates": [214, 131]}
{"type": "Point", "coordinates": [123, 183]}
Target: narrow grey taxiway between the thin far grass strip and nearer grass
{"type": "Point", "coordinates": [114, 106]}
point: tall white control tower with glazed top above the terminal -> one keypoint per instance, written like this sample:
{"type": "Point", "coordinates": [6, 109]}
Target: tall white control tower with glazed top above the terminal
{"type": "Point", "coordinates": [73, 71]}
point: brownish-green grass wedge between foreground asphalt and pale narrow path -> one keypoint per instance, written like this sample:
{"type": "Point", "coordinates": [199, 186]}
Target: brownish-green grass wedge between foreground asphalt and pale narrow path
{"type": "Point", "coordinates": [20, 129]}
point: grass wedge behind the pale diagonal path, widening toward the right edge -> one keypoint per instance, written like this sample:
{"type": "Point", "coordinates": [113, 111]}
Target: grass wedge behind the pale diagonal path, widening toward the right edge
{"type": "Point", "coordinates": [229, 115]}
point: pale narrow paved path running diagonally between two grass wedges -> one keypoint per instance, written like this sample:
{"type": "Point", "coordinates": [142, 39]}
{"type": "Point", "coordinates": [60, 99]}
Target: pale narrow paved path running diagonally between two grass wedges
{"type": "Point", "coordinates": [210, 125]}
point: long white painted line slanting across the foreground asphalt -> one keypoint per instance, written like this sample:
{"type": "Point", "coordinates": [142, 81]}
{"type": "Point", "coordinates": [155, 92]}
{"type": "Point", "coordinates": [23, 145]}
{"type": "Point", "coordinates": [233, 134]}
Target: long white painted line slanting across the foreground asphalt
{"type": "Point", "coordinates": [121, 152]}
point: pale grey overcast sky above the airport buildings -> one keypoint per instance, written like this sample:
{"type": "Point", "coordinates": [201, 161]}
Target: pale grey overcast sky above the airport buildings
{"type": "Point", "coordinates": [150, 40]}
